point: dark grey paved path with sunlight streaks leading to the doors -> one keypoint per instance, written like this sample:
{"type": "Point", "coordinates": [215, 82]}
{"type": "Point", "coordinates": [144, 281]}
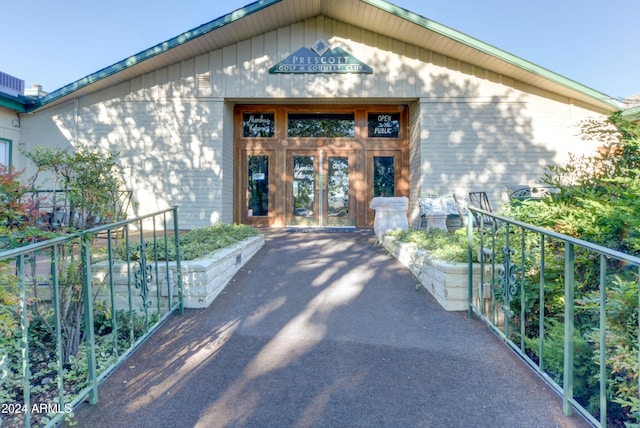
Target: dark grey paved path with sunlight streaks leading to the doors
{"type": "Point", "coordinates": [324, 330]}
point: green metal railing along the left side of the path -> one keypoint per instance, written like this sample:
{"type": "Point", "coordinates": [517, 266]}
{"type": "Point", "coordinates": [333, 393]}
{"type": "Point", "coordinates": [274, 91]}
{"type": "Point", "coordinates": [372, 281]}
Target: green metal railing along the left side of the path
{"type": "Point", "coordinates": [74, 307]}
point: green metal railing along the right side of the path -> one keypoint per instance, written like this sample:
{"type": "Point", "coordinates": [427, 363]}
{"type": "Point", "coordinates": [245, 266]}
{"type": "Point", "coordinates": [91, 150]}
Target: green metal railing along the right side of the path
{"type": "Point", "coordinates": [568, 307]}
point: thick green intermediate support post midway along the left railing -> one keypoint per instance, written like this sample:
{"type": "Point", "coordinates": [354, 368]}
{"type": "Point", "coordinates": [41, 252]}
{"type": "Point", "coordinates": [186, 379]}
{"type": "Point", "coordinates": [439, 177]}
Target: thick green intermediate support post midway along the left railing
{"type": "Point", "coordinates": [88, 317]}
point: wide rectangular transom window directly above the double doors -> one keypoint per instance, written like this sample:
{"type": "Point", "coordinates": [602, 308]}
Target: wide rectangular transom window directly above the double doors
{"type": "Point", "coordinates": [321, 125]}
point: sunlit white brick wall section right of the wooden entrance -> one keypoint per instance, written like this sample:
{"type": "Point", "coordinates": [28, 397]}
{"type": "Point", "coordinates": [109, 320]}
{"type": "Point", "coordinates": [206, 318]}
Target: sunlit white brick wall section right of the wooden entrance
{"type": "Point", "coordinates": [494, 146]}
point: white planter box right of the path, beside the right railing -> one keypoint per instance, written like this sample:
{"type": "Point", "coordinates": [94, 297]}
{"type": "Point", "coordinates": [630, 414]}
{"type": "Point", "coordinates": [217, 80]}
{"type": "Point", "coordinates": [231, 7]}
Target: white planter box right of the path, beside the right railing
{"type": "Point", "coordinates": [447, 282]}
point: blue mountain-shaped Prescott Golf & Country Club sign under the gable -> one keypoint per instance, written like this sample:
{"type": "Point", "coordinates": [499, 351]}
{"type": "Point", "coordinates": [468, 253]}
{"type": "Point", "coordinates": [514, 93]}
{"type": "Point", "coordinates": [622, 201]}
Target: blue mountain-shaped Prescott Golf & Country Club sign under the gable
{"type": "Point", "coordinates": [320, 59]}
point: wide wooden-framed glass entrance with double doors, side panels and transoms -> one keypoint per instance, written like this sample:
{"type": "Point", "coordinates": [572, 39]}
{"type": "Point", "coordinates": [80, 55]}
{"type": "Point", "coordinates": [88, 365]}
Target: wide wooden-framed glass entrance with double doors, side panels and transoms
{"type": "Point", "coordinates": [321, 168]}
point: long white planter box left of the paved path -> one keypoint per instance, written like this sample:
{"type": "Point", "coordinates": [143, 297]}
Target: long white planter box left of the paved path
{"type": "Point", "coordinates": [202, 280]}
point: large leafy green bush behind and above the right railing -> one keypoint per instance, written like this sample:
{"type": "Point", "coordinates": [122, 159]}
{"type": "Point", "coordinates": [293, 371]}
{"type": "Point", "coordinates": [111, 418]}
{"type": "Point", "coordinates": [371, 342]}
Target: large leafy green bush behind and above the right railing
{"type": "Point", "coordinates": [598, 200]}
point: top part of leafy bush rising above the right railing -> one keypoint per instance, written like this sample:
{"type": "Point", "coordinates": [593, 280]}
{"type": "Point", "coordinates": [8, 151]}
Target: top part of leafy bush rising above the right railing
{"type": "Point", "coordinates": [598, 196]}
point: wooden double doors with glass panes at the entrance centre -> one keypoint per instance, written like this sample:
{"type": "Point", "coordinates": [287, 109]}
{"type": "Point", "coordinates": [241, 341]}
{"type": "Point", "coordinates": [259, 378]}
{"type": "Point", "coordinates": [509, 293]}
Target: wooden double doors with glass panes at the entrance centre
{"type": "Point", "coordinates": [319, 188]}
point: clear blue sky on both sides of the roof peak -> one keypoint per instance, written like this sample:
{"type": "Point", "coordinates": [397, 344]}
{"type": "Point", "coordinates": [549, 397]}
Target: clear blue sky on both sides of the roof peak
{"type": "Point", "coordinates": [593, 42]}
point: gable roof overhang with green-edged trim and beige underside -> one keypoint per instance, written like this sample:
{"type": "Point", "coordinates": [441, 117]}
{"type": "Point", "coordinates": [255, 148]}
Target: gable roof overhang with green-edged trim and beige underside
{"type": "Point", "coordinates": [375, 15]}
